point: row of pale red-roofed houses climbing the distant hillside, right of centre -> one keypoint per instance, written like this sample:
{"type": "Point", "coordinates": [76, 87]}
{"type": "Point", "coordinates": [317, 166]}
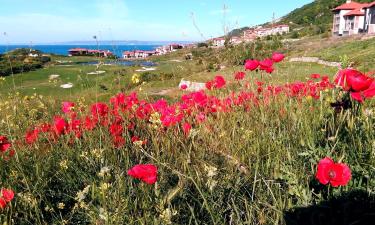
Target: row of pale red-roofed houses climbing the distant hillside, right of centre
{"type": "Point", "coordinates": [251, 34]}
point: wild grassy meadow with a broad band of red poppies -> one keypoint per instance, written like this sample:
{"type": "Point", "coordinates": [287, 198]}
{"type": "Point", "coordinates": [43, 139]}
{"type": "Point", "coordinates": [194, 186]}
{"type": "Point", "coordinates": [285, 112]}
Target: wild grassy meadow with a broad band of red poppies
{"type": "Point", "coordinates": [250, 155]}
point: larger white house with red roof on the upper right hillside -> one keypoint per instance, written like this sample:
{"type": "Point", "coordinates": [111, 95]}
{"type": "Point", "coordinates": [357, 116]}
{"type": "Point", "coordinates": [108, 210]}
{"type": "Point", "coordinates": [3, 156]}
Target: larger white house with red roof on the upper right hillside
{"type": "Point", "coordinates": [348, 18]}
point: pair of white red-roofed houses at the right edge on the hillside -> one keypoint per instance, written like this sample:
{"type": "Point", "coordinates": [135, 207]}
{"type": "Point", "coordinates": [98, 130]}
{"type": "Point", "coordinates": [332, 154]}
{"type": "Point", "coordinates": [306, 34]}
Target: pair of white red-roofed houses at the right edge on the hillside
{"type": "Point", "coordinates": [354, 18]}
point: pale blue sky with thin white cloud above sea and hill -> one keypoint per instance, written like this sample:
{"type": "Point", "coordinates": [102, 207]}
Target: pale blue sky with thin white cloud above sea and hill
{"type": "Point", "coordinates": [48, 21]}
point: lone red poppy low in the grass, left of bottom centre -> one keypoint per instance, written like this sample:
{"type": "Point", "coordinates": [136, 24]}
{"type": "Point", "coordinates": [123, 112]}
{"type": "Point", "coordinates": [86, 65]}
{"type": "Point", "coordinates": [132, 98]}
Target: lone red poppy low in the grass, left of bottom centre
{"type": "Point", "coordinates": [145, 172]}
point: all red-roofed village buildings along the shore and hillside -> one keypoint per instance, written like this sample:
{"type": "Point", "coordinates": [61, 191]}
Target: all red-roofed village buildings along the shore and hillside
{"type": "Point", "coordinates": [348, 19]}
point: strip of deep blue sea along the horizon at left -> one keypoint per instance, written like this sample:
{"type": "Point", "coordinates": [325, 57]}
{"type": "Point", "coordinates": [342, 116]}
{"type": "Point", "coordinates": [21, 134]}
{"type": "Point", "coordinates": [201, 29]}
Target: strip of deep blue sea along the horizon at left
{"type": "Point", "coordinates": [63, 49]}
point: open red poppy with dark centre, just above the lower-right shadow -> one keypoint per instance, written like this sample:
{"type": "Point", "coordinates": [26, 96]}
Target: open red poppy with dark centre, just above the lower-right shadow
{"type": "Point", "coordinates": [337, 174]}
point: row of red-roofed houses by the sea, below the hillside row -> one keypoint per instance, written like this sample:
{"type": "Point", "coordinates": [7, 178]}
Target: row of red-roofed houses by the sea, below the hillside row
{"type": "Point", "coordinates": [137, 54]}
